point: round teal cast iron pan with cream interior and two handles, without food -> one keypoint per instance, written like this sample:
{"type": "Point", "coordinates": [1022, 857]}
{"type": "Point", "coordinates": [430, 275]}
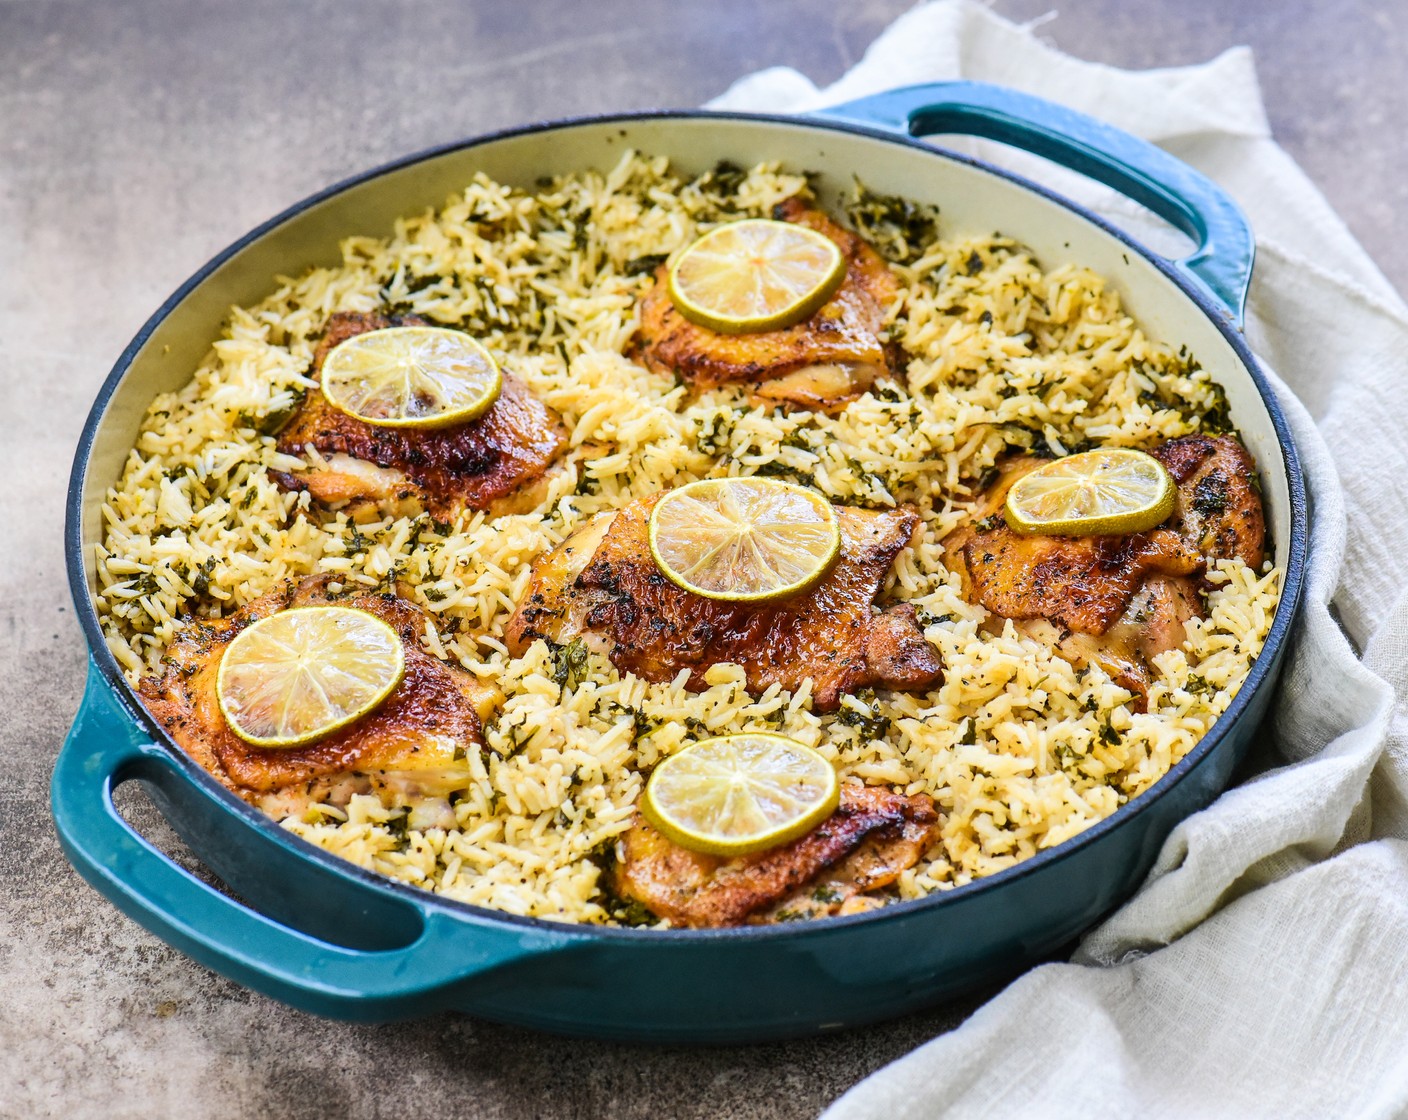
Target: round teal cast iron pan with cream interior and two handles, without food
{"type": "Point", "coordinates": [325, 936]}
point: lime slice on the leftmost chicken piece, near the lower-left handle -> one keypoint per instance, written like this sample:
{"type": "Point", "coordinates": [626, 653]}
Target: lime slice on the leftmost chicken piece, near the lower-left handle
{"type": "Point", "coordinates": [302, 674]}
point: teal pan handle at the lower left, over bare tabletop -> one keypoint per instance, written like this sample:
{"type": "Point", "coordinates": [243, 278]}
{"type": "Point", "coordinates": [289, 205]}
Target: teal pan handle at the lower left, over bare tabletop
{"type": "Point", "coordinates": [108, 746]}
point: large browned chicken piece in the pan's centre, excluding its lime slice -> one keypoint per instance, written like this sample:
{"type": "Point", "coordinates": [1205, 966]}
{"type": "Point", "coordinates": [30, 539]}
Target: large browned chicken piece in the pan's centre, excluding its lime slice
{"type": "Point", "coordinates": [603, 583]}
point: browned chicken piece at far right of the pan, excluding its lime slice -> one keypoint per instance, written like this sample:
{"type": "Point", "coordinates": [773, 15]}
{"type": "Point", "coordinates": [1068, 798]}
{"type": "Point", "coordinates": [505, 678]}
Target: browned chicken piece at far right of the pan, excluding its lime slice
{"type": "Point", "coordinates": [1116, 602]}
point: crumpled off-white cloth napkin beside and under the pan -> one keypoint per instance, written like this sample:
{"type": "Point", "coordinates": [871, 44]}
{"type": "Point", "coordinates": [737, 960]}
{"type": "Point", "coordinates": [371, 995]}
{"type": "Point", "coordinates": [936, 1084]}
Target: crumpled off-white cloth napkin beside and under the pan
{"type": "Point", "coordinates": [1264, 967]}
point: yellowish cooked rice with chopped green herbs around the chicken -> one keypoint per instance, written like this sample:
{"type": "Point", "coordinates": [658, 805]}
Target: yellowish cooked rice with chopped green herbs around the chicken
{"type": "Point", "coordinates": [1019, 750]}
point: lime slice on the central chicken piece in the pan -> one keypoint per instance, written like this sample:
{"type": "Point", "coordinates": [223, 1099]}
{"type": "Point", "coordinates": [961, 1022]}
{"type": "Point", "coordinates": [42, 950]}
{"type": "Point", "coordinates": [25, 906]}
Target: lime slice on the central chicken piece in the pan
{"type": "Point", "coordinates": [744, 540]}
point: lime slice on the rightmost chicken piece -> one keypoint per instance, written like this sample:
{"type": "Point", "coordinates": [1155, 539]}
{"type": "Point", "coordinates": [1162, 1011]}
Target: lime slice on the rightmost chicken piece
{"type": "Point", "coordinates": [1096, 494]}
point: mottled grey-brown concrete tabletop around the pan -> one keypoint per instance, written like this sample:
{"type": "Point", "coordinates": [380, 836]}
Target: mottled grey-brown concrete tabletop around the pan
{"type": "Point", "coordinates": [137, 139]}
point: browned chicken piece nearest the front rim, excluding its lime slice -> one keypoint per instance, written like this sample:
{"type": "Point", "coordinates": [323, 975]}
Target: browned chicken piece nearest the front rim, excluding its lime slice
{"type": "Point", "coordinates": [872, 838]}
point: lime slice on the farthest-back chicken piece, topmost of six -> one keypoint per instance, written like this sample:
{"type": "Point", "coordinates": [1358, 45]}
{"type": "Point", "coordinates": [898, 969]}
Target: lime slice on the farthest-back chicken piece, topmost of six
{"type": "Point", "coordinates": [755, 275]}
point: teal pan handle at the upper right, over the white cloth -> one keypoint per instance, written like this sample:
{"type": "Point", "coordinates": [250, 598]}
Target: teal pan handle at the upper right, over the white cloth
{"type": "Point", "coordinates": [1221, 267]}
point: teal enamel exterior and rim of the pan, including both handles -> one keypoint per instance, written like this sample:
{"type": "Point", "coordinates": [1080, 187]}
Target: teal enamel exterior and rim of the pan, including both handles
{"type": "Point", "coordinates": [329, 938]}
